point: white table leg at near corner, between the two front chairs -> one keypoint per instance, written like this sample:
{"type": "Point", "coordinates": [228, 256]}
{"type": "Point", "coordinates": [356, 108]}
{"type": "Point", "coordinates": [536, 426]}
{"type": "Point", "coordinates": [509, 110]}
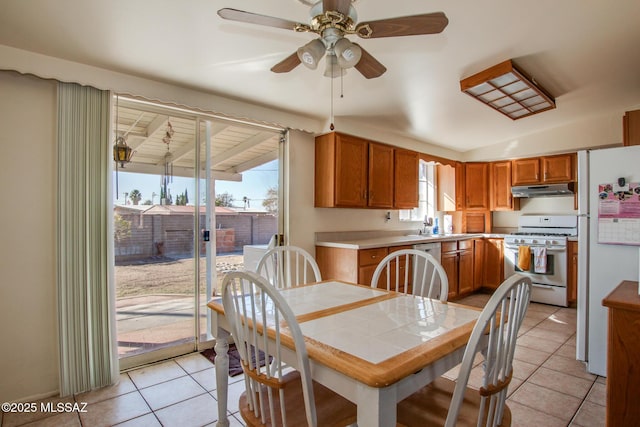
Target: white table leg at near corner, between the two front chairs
{"type": "Point", "coordinates": [376, 406]}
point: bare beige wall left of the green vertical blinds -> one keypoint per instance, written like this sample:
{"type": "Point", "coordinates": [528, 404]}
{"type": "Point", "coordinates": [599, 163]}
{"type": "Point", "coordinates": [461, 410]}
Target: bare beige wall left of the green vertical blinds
{"type": "Point", "coordinates": [29, 348]}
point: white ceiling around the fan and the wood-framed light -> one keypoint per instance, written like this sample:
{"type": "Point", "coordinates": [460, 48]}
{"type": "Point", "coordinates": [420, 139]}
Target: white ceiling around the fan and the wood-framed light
{"type": "Point", "coordinates": [584, 52]}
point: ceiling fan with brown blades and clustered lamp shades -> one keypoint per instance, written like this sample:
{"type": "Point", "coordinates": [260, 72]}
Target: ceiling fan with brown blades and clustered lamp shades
{"type": "Point", "coordinates": [333, 20]}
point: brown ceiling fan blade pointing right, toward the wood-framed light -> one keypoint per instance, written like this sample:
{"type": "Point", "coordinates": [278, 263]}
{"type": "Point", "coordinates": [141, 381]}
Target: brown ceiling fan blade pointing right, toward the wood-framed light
{"type": "Point", "coordinates": [429, 23]}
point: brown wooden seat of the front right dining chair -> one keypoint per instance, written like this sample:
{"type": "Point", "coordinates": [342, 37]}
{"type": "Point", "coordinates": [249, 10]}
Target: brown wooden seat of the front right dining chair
{"type": "Point", "coordinates": [429, 406]}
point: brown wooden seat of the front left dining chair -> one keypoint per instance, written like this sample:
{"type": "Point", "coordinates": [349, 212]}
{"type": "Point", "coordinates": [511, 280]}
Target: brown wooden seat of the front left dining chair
{"type": "Point", "coordinates": [331, 408]}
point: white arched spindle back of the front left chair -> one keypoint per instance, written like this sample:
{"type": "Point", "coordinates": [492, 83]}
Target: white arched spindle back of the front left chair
{"type": "Point", "coordinates": [260, 321]}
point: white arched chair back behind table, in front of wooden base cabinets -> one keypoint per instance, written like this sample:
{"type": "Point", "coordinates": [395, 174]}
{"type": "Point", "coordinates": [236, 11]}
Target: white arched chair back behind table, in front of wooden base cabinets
{"type": "Point", "coordinates": [411, 269]}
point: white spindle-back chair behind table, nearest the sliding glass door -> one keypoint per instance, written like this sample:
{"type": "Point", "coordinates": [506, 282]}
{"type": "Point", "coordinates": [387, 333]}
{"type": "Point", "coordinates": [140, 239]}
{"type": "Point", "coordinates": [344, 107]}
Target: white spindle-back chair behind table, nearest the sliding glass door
{"type": "Point", "coordinates": [287, 266]}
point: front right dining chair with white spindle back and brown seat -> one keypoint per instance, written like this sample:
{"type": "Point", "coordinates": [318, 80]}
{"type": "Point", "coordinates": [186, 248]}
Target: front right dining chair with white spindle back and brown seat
{"type": "Point", "coordinates": [449, 403]}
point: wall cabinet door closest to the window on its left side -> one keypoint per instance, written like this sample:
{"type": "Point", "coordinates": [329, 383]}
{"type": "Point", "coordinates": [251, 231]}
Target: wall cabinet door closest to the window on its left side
{"type": "Point", "coordinates": [405, 192]}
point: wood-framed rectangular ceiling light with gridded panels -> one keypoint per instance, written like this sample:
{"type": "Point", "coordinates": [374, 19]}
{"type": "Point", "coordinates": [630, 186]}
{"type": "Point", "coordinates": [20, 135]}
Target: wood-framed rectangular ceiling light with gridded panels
{"type": "Point", "coordinates": [507, 89]}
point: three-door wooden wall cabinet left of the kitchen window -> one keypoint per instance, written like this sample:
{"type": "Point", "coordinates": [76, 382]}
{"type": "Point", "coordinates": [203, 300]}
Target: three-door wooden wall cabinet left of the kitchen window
{"type": "Point", "coordinates": [352, 172]}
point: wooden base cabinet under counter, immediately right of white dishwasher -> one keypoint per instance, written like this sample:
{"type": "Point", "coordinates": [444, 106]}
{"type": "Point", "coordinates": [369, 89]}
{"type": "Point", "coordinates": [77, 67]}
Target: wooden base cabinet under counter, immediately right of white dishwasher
{"type": "Point", "coordinates": [457, 261]}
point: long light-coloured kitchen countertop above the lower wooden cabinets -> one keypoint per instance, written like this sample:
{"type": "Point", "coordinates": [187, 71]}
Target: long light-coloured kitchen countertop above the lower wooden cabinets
{"type": "Point", "coordinates": [382, 241]}
